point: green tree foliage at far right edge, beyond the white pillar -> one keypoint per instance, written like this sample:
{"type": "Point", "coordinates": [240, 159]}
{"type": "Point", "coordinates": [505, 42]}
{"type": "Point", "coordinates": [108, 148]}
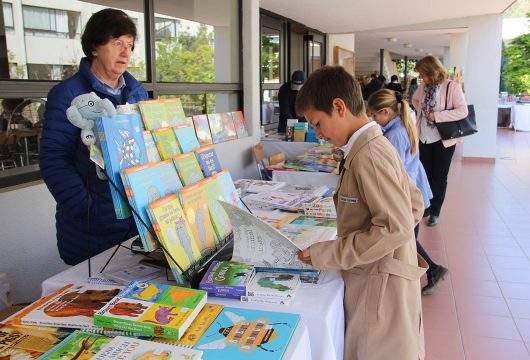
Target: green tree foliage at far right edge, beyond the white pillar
{"type": "Point", "coordinates": [516, 72]}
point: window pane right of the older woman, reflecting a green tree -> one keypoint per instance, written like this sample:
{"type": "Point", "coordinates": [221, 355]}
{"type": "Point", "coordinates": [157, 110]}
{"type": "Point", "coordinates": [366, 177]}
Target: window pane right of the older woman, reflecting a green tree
{"type": "Point", "coordinates": [205, 44]}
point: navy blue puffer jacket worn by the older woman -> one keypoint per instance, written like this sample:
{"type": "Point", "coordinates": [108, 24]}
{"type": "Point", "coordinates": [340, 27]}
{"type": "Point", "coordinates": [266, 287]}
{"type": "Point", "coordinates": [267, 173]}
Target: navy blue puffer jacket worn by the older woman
{"type": "Point", "coordinates": [85, 219]}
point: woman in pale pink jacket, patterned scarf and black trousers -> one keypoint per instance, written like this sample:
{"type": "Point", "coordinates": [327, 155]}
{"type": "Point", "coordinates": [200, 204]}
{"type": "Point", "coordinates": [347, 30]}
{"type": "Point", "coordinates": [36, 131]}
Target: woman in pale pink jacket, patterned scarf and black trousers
{"type": "Point", "coordinates": [430, 103]}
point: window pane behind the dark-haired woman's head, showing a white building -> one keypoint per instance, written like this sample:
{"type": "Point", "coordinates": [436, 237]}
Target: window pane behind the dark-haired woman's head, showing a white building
{"type": "Point", "coordinates": [47, 43]}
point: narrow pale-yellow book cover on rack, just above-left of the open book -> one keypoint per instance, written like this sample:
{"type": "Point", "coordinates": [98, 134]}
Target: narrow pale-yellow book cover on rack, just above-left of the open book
{"type": "Point", "coordinates": [220, 221]}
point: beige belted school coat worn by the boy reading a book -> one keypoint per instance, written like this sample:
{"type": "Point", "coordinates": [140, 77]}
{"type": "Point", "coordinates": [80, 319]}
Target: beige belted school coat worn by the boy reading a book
{"type": "Point", "coordinates": [378, 206]}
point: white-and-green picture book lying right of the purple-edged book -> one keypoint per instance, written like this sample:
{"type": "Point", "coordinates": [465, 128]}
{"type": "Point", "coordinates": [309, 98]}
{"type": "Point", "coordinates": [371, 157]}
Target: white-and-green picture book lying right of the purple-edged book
{"type": "Point", "coordinates": [272, 288]}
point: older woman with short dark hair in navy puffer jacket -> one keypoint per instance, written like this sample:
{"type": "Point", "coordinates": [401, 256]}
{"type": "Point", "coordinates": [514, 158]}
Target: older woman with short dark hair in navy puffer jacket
{"type": "Point", "coordinates": [85, 219]}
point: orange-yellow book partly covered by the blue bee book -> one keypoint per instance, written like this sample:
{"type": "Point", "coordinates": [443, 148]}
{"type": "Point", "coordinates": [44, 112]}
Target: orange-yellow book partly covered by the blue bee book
{"type": "Point", "coordinates": [206, 317]}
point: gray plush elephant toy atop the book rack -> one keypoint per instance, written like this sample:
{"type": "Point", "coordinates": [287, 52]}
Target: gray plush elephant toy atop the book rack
{"type": "Point", "coordinates": [84, 110]}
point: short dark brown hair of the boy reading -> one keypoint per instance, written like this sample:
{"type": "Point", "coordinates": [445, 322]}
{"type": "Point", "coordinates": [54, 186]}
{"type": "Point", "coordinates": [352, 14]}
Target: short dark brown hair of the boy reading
{"type": "Point", "coordinates": [326, 84]}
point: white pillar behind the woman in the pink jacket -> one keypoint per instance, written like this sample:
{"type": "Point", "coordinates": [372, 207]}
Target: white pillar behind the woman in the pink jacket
{"type": "Point", "coordinates": [481, 82]}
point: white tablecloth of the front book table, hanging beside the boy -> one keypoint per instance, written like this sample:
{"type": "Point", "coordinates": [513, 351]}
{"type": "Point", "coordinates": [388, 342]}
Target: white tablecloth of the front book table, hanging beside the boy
{"type": "Point", "coordinates": [319, 335]}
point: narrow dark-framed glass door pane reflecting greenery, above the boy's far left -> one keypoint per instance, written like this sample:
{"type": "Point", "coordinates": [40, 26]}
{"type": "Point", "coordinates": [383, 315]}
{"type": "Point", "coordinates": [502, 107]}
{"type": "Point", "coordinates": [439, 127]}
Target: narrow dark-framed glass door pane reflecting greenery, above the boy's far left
{"type": "Point", "coordinates": [270, 55]}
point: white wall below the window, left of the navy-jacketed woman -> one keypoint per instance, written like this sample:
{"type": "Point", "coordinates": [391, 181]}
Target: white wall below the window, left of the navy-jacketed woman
{"type": "Point", "coordinates": [28, 246]}
